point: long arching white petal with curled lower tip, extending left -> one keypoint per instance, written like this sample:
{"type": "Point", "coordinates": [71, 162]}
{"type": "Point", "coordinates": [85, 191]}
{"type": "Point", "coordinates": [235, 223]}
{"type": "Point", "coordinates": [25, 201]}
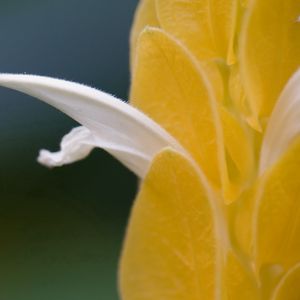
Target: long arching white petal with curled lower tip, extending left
{"type": "Point", "coordinates": [113, 125]}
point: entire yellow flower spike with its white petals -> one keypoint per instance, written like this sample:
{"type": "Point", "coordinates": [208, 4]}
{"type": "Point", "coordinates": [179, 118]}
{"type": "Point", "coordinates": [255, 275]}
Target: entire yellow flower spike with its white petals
{"type": "Point", "coordinates": [218, 213]}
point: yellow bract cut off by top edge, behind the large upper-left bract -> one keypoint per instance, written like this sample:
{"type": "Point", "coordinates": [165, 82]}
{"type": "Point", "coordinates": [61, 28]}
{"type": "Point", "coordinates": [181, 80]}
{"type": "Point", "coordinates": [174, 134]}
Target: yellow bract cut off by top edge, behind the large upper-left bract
{"type": "Point", "coordinates": [206, 27]}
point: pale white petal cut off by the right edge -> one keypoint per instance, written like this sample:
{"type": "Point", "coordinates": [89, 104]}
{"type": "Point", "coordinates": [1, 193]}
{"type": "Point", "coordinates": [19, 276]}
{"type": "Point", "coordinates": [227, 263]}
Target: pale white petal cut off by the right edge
{"type": "Point", "coordinates": [284, 124]}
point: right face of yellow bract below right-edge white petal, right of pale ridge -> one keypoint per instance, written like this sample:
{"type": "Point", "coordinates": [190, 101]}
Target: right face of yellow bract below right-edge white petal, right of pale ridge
{"type": "Point", "coordinates": [277, 216]}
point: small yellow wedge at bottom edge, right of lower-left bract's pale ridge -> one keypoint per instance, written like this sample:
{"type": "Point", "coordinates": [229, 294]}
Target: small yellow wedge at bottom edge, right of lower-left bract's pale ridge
{"type": "Point", "coordinates": [239, 281]}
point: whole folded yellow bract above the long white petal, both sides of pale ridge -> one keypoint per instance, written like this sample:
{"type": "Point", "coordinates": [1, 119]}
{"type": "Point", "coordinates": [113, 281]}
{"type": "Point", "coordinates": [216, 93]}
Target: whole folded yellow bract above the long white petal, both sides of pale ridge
{"type": "Point", "coordinates": [171, 87]}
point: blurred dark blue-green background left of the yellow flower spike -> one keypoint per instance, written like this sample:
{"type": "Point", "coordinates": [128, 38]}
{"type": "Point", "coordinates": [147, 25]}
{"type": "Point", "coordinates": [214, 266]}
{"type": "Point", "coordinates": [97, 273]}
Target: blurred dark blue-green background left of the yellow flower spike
{"type": "Point", "coordinates": [61, 230]}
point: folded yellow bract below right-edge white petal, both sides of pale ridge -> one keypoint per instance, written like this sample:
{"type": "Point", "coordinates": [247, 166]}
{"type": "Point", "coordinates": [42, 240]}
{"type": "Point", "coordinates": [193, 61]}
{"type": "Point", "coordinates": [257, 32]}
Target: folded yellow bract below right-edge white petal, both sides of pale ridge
{"type": "Point", "coordinates": [267, 223]}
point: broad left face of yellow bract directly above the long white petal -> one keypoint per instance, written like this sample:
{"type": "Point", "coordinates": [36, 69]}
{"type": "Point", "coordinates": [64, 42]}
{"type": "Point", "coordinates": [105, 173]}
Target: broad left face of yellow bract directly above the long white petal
{"type": "Point", "coordinates": [173, 89]}
